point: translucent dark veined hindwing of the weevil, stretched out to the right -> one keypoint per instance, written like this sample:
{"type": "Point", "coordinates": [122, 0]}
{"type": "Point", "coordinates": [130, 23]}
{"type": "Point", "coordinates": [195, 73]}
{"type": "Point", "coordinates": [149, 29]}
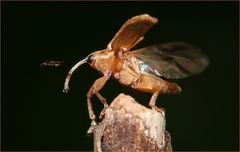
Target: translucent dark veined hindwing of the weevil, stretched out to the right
{"type": "Point", "coordinates": [171, 60]}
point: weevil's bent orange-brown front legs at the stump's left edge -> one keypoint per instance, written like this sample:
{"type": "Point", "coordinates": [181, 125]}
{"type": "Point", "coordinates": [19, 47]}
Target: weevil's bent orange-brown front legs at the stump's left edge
{"type": "Point", "coordinates": [96, 87]}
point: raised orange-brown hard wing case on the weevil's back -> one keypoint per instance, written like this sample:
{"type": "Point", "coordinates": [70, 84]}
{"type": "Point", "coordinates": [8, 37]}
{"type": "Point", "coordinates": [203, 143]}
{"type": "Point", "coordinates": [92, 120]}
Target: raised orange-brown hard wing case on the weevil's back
{"type": "Point", "coordinates": [131, 32]}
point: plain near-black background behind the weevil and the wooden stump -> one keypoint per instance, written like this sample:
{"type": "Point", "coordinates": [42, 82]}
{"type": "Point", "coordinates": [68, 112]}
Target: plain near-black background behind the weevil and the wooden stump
{"type": "Point", "coordinates": [36, 115]}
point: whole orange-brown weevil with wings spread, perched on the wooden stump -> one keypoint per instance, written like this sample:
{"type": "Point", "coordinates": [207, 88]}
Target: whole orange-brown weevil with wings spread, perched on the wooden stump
{"type": "Point", "coordinates": [141, 69]}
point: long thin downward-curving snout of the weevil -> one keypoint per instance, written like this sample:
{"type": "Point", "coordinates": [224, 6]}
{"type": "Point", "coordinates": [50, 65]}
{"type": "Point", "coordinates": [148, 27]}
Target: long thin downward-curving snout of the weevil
{"type": "Point", "coordinates": [66, 84]}
